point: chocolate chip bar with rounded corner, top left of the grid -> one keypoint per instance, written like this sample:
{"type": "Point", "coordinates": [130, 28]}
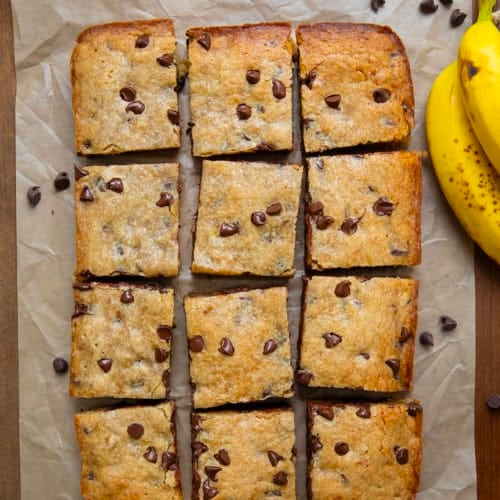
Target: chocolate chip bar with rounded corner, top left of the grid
{"type": "Point", "coordinates": [123, 77]}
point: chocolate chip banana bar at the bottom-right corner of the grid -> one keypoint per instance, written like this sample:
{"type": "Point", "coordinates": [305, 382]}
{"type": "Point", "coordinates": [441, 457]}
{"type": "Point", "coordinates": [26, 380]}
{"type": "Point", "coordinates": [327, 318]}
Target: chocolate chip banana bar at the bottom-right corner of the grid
{"type": "Point", "coordinates": [364, 451]}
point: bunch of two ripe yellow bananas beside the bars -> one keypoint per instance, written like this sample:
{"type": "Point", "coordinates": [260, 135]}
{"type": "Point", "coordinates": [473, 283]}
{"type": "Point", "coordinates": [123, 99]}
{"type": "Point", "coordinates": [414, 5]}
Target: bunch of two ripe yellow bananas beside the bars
{"type": "Point", "coordinates": [463, 133]}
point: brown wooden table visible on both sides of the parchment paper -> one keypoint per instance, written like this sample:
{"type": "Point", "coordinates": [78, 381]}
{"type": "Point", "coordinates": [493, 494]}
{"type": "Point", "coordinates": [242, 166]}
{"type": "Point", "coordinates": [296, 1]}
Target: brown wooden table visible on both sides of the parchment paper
{"type": "Point", "coordinates": [487, 422]}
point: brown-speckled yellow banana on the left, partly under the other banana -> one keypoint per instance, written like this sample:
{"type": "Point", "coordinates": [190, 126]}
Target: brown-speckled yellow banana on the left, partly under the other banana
{"type": "Point", "coordinates": [469, 182]}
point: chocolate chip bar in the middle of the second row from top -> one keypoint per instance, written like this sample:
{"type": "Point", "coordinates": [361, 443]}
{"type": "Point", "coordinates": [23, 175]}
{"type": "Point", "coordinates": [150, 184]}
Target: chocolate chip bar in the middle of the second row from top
{"type": "Point", "coordinates": [246, 218]}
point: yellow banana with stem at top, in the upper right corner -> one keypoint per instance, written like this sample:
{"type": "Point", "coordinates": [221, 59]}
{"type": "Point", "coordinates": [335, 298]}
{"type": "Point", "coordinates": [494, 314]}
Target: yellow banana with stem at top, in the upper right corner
{"type": "Point", "coordinates": [479, 69]}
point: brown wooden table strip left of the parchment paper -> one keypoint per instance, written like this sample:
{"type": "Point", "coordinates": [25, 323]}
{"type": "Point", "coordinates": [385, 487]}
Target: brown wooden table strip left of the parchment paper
{"type": "Point", "coordinates": [9, 400]}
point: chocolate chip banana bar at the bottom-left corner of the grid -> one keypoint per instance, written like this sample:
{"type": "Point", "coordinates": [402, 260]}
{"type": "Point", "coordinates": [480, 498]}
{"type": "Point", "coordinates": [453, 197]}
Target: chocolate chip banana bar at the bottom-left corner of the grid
{"type": "Point", "coordinates": [129, 453]}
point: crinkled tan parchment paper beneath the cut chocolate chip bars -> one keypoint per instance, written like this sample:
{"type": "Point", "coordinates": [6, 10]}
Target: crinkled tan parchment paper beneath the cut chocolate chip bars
{"type": "Point", "coordinates": [45, 31]}
